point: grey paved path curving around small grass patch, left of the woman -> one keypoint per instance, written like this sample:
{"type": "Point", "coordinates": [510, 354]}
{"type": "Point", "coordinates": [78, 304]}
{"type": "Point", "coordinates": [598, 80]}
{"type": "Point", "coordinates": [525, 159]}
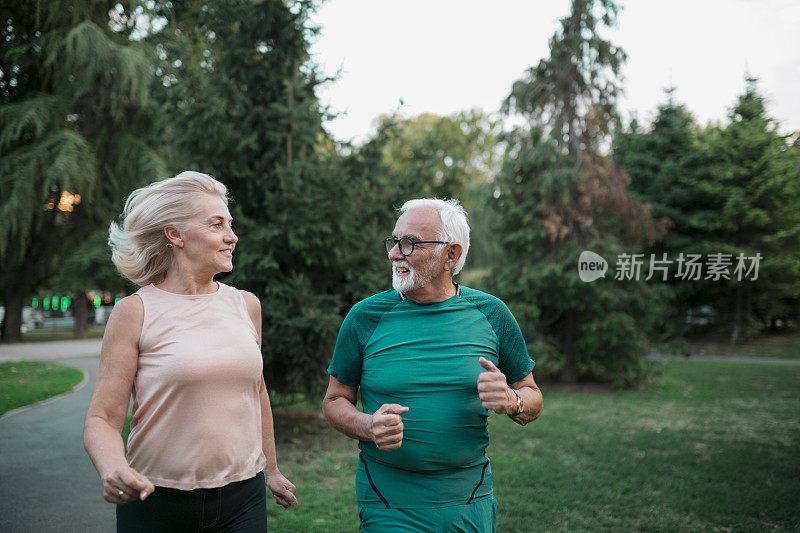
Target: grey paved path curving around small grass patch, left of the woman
{"type": "Point", "coordinates": [47, 483]}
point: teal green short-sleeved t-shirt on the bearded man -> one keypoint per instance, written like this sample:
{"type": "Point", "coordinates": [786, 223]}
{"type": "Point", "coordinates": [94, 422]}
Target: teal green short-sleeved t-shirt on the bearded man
{"type": "Point", "coordinates": [425, 357]}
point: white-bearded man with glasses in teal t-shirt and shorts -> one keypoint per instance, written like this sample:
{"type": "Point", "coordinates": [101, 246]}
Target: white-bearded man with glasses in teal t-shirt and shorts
{"type": "Point", "coordinates": [431, 359]}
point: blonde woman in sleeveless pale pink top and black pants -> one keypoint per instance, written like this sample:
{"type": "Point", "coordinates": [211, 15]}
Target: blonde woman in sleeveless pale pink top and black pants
{"type": "Point", "coordinates": [201, 446]}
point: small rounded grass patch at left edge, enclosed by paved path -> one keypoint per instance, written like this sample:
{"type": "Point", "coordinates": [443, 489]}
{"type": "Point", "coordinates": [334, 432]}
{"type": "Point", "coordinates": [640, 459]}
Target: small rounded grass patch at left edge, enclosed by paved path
{"type": "Point", "coordinates": [27, 382]}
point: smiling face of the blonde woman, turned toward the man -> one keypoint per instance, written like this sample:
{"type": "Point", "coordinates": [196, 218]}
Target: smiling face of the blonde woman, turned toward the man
{"type": "Point", "coordinates": [209, 240]}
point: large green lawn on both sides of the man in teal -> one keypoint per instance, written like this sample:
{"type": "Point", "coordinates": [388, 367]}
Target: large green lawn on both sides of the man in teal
{"type": "Point", "coordinates": [709, 446]}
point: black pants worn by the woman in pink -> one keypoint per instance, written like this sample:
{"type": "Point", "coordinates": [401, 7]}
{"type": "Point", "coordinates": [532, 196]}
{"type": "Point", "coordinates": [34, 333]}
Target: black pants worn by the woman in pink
{"type": "Point", "coordinates": [239, 507]}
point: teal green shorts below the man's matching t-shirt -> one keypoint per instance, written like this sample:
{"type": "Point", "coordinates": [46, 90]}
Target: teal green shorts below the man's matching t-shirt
{"type": "Point", "coordinates": [479, 516]}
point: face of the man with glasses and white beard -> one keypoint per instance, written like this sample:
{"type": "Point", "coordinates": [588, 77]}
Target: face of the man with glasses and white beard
{"type": "Point", "coordinates": [426, 263]}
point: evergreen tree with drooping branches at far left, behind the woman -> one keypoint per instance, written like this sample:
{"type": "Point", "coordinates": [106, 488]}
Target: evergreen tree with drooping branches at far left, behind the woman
{"type": "Point", "coordinates": [73, 134]}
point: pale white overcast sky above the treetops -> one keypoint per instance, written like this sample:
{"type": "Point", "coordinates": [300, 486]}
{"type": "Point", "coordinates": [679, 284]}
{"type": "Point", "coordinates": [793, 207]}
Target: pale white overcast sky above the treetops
{"type": "Point", "coordinates": [445, 56]}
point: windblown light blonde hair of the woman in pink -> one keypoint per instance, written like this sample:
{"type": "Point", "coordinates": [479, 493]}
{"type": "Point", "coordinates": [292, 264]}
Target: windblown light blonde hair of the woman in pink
{"type": "Point", "coordinates": [138, 244]}
